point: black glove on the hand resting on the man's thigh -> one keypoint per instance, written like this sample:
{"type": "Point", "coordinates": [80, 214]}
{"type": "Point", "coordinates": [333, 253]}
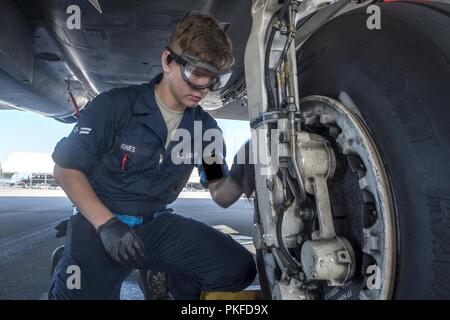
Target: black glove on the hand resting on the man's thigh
{"type": "Point", "coordinates": [121, 243]}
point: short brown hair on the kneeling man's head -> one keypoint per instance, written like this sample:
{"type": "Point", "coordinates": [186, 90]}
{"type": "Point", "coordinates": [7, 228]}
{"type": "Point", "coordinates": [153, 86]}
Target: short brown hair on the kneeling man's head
{"type": "Point", "coordinates": [201, 35]}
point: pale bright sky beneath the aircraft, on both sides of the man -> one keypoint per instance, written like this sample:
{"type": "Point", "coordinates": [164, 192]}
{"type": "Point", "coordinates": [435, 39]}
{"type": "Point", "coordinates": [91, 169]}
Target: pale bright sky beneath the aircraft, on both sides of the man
{"type": "Point", "coordinates": [30, 132]}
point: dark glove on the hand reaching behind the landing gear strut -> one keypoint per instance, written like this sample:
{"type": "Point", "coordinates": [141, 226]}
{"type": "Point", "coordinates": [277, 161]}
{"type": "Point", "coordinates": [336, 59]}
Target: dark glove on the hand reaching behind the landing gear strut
{"type": "Point", "coordinates": [244, 173]}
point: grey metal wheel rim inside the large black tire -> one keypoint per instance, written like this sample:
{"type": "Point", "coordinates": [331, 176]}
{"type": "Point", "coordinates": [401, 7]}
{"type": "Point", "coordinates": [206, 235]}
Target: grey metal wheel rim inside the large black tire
{"type": "Point", "coordinates": [377, 248]}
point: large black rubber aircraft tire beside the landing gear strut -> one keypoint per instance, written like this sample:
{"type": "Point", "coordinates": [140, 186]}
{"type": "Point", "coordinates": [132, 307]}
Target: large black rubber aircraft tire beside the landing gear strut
{"type": "Point", "coordinates": [399, 78]}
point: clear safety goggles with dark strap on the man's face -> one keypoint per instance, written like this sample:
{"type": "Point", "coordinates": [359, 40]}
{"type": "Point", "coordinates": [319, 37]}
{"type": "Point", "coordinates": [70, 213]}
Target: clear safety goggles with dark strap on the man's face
{"type": "Point", "coordinates": [199, 74]}
